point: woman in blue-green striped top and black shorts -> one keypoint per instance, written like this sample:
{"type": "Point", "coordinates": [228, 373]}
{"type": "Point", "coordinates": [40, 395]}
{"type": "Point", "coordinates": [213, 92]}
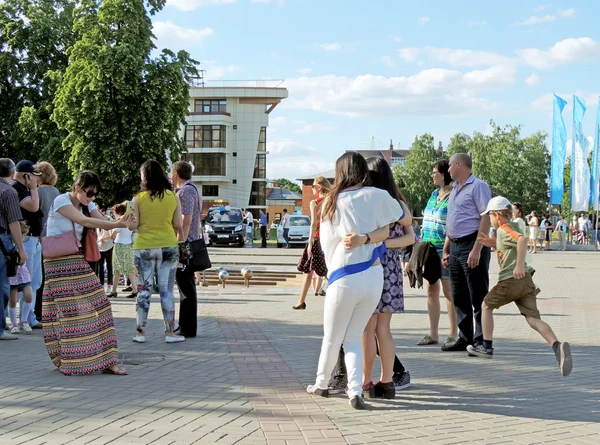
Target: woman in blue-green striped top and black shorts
{"type": "Point", "coordinates": [434, 232]}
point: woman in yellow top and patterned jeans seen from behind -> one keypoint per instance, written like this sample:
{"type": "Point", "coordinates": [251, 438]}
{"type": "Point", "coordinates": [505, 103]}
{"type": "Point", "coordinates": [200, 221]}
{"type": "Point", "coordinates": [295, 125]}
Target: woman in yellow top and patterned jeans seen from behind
{"type": "Point", "coordinates": [158, 215]}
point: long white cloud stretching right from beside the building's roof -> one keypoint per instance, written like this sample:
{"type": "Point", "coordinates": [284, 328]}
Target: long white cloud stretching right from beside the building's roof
{"type": "Point", "coordinates": [434, 92]}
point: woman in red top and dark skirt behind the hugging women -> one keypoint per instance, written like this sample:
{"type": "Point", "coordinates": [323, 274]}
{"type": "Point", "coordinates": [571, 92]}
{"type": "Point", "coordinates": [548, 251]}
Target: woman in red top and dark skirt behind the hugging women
{"type": "Point", "coordinates": [312, 258]}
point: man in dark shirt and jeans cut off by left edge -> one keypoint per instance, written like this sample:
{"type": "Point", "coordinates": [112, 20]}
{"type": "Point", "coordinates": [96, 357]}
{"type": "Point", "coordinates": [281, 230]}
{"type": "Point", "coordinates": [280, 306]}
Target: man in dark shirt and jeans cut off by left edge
{"type": "Point", "coordinates": [10, 236]}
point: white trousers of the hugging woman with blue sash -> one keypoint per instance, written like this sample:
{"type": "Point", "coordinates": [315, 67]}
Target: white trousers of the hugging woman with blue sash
{"type": "Point", "coordinates": [349, 304]}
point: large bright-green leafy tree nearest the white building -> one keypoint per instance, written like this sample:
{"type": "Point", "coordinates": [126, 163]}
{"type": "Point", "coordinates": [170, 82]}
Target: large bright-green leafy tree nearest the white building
{"type": "Point", "coordinates": [116, 104]}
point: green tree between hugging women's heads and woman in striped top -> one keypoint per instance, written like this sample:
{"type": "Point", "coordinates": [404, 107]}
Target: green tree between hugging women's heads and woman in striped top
{"type": "Point", "coordinates": [415, 176]}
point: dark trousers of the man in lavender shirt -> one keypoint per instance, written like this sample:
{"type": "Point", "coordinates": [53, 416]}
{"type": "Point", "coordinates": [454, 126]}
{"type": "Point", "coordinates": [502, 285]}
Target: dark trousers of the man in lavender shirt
{"type": "Point", "coordinates": [469, 287]}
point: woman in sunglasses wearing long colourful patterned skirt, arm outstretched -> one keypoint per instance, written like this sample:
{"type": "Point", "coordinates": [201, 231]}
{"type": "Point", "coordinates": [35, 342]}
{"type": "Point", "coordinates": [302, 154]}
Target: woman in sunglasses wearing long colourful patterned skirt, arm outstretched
{"type": "Point", "coordinates": [79, 331]}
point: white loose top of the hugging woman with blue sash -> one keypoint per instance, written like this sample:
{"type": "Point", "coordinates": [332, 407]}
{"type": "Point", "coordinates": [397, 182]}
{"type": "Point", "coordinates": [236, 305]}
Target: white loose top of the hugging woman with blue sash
{"type": "Point", "coordinates": [358, 211]}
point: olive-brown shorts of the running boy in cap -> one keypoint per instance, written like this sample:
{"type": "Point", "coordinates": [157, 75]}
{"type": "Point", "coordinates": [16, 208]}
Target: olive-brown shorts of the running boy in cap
{"type": "Point", "coordinates": [523, 292]}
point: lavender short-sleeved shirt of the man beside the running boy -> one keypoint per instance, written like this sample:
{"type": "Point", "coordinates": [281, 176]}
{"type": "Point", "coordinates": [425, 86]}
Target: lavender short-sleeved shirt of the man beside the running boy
{"type": "Point", "coordinates": [465, 207]}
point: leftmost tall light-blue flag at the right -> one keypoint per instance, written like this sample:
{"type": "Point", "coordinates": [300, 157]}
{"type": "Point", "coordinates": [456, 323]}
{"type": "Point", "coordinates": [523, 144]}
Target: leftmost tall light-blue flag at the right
{"type": "Point", "coordinates": [559, 152]}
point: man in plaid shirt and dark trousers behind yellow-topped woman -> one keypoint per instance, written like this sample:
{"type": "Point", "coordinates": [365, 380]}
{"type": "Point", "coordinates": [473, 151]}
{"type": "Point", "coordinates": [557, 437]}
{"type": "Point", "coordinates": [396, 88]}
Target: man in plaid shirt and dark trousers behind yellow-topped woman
{"type": "Point", "coordinates": [191, 210]}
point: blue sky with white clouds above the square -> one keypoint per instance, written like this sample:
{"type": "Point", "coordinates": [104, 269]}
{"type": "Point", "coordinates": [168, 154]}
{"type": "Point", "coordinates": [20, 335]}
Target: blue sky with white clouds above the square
{"type": "Point", "coordinates": [383, 70]}
